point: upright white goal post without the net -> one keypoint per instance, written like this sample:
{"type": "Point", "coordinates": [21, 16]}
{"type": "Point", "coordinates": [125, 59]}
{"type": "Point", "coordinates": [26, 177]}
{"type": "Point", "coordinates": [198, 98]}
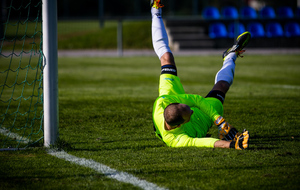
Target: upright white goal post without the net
{"type": "Point", "coordinates": [50, 72]}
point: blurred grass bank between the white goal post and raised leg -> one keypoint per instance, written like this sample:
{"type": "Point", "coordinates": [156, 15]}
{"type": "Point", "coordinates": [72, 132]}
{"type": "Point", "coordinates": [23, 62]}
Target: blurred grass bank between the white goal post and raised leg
{"type": "Point", "coordinates": [89, 35]}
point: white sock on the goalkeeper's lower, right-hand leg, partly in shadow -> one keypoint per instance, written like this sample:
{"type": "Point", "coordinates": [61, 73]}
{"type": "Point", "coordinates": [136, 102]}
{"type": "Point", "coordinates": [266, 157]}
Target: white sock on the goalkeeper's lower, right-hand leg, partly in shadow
{"type": "Point", "coordinates": [226, 73]}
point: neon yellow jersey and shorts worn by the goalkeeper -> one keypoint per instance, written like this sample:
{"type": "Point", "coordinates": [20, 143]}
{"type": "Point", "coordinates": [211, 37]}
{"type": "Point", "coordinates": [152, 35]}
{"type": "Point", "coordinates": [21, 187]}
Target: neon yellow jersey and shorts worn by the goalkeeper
{"type": "Point", "coordinates": [206, 111]}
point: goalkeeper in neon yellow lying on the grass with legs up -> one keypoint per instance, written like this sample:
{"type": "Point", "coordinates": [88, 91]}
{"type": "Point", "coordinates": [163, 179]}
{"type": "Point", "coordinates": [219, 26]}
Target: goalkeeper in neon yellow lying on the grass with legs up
{"type": "Point", "coordinates": [182, 120]}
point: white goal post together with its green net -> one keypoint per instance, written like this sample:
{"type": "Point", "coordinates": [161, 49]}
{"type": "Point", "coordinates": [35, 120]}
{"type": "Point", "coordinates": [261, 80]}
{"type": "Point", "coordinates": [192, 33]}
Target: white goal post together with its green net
{"type": "Point", "coordinates": [28, 73]}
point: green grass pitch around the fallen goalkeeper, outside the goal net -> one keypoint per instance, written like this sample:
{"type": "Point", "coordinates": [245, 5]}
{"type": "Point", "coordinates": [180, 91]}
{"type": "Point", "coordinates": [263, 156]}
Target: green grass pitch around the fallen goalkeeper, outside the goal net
{"type": "Point", "coordinates": [105, 109]}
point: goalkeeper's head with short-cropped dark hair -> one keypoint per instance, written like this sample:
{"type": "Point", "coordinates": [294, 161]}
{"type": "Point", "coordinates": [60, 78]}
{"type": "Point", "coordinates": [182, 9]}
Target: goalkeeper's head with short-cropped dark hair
{"type": "Point", "coordinates": [177, 114]}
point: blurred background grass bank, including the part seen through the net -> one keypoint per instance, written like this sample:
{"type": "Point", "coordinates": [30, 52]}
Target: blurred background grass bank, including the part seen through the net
{"type": "Point", "coordinates": [80, 35]}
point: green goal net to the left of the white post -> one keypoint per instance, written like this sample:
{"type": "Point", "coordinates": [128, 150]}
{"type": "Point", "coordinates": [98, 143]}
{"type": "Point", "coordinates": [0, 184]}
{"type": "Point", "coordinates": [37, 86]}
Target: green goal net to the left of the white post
{"type": "Point", "coordinates": [21, 73]}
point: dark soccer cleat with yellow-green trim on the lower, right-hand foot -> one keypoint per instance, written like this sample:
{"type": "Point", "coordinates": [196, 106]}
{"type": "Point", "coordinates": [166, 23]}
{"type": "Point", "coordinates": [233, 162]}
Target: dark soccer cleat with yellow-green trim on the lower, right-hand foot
{"type": "Point", "coordinates": [240, 43]}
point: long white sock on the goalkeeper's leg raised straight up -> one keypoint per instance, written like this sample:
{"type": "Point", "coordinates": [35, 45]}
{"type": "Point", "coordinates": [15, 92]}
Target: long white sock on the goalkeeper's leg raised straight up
{"type": "Point", "coordinates": [159, 35]}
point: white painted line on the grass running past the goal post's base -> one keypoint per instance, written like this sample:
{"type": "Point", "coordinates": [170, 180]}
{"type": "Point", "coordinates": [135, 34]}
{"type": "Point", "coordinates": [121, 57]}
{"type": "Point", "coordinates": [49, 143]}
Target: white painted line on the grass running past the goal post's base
{"type": "Point", "coordinates": [101, 168]}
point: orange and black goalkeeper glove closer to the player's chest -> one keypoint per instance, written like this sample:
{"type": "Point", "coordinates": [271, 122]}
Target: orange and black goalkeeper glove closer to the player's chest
{"type": "Point", "coordinates": [226, 131]}
